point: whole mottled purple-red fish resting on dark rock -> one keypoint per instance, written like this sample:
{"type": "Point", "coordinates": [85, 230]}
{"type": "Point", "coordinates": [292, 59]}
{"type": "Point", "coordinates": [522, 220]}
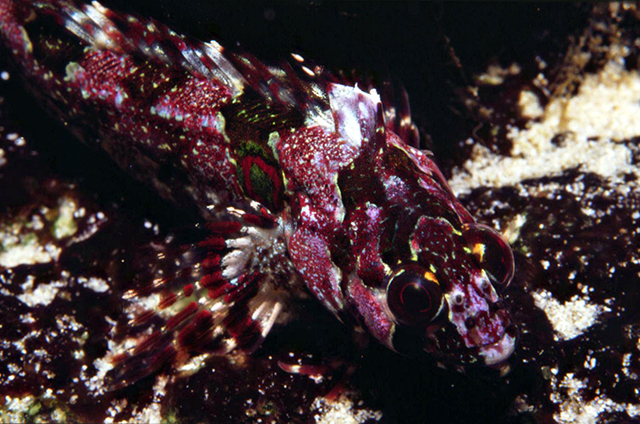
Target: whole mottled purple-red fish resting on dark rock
{"type": "Point", "coordinates": [309, 185]}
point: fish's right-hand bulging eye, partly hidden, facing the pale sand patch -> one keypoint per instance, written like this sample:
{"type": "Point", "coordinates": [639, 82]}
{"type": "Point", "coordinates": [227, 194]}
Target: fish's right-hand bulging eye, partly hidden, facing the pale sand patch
{"type": "Point", "coordinates": [492, 252]}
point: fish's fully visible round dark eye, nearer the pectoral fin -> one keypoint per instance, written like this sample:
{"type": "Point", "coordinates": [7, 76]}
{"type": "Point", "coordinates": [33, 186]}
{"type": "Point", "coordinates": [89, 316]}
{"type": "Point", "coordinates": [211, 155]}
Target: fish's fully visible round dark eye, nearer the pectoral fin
{"type": "Point", "coordinates": [414, 295]}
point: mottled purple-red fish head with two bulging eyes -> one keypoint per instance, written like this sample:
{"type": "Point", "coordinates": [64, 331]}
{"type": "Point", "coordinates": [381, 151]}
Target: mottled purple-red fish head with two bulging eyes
{"type": "Point", "coordinates": [426, 277]}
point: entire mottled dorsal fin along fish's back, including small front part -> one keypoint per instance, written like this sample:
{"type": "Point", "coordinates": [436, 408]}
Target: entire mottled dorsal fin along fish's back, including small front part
{"type": "Point", "coordinates": [298, 85]}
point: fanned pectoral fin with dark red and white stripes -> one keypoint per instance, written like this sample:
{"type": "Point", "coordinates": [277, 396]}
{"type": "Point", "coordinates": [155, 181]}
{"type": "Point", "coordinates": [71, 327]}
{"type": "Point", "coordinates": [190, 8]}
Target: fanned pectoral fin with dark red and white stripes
{"type": "Point", "coordinates": [225, 294]}
